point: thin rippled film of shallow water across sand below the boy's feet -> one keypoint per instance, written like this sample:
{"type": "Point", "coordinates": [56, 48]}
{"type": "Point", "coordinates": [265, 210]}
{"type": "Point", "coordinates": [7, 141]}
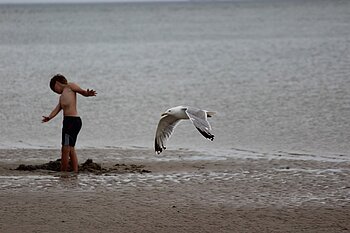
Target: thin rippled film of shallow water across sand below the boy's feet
{"type": "Point", "coordinates": [260, 185]}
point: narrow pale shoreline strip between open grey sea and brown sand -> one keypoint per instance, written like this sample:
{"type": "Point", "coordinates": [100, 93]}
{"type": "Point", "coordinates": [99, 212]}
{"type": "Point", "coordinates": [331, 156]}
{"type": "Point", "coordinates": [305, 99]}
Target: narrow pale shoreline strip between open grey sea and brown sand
{"type": "Point", "coordinates": [37, 155]}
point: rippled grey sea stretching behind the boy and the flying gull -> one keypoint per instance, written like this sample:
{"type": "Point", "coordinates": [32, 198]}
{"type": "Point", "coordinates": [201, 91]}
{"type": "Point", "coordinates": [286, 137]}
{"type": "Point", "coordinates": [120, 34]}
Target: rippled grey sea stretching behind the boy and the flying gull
{"type": "Point", "coordinates": [277, 73]}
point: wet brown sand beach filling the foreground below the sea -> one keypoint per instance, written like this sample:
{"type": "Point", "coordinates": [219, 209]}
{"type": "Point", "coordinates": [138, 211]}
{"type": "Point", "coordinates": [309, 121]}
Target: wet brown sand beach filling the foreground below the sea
{"type": "Point", "coordinates": [179, 195]}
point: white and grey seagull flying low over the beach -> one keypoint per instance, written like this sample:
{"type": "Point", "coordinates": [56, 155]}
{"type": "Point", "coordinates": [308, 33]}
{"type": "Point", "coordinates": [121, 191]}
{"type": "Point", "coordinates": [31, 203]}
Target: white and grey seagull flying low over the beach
{"type": "Point", "coordinates": [172, 117]}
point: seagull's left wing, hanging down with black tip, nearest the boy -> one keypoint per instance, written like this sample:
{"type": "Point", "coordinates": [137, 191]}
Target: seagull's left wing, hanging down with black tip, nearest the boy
{"type": "Point", "coordinates": [165, 128]}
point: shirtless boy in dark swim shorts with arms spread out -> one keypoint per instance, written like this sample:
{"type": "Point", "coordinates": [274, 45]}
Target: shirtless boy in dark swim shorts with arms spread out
{"type": "Point", "coordinates": [71, 120]}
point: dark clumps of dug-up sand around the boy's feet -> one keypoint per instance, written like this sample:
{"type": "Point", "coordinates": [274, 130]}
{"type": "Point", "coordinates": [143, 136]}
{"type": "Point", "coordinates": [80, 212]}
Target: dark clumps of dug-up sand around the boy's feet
{"type": "Point", "coordinates": [88, 166]}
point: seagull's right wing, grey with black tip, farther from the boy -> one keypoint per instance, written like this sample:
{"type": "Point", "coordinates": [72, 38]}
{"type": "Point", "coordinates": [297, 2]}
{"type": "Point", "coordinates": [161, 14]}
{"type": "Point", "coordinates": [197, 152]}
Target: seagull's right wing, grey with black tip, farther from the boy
{"type": "Point", "coordinates": [200, 121]}
